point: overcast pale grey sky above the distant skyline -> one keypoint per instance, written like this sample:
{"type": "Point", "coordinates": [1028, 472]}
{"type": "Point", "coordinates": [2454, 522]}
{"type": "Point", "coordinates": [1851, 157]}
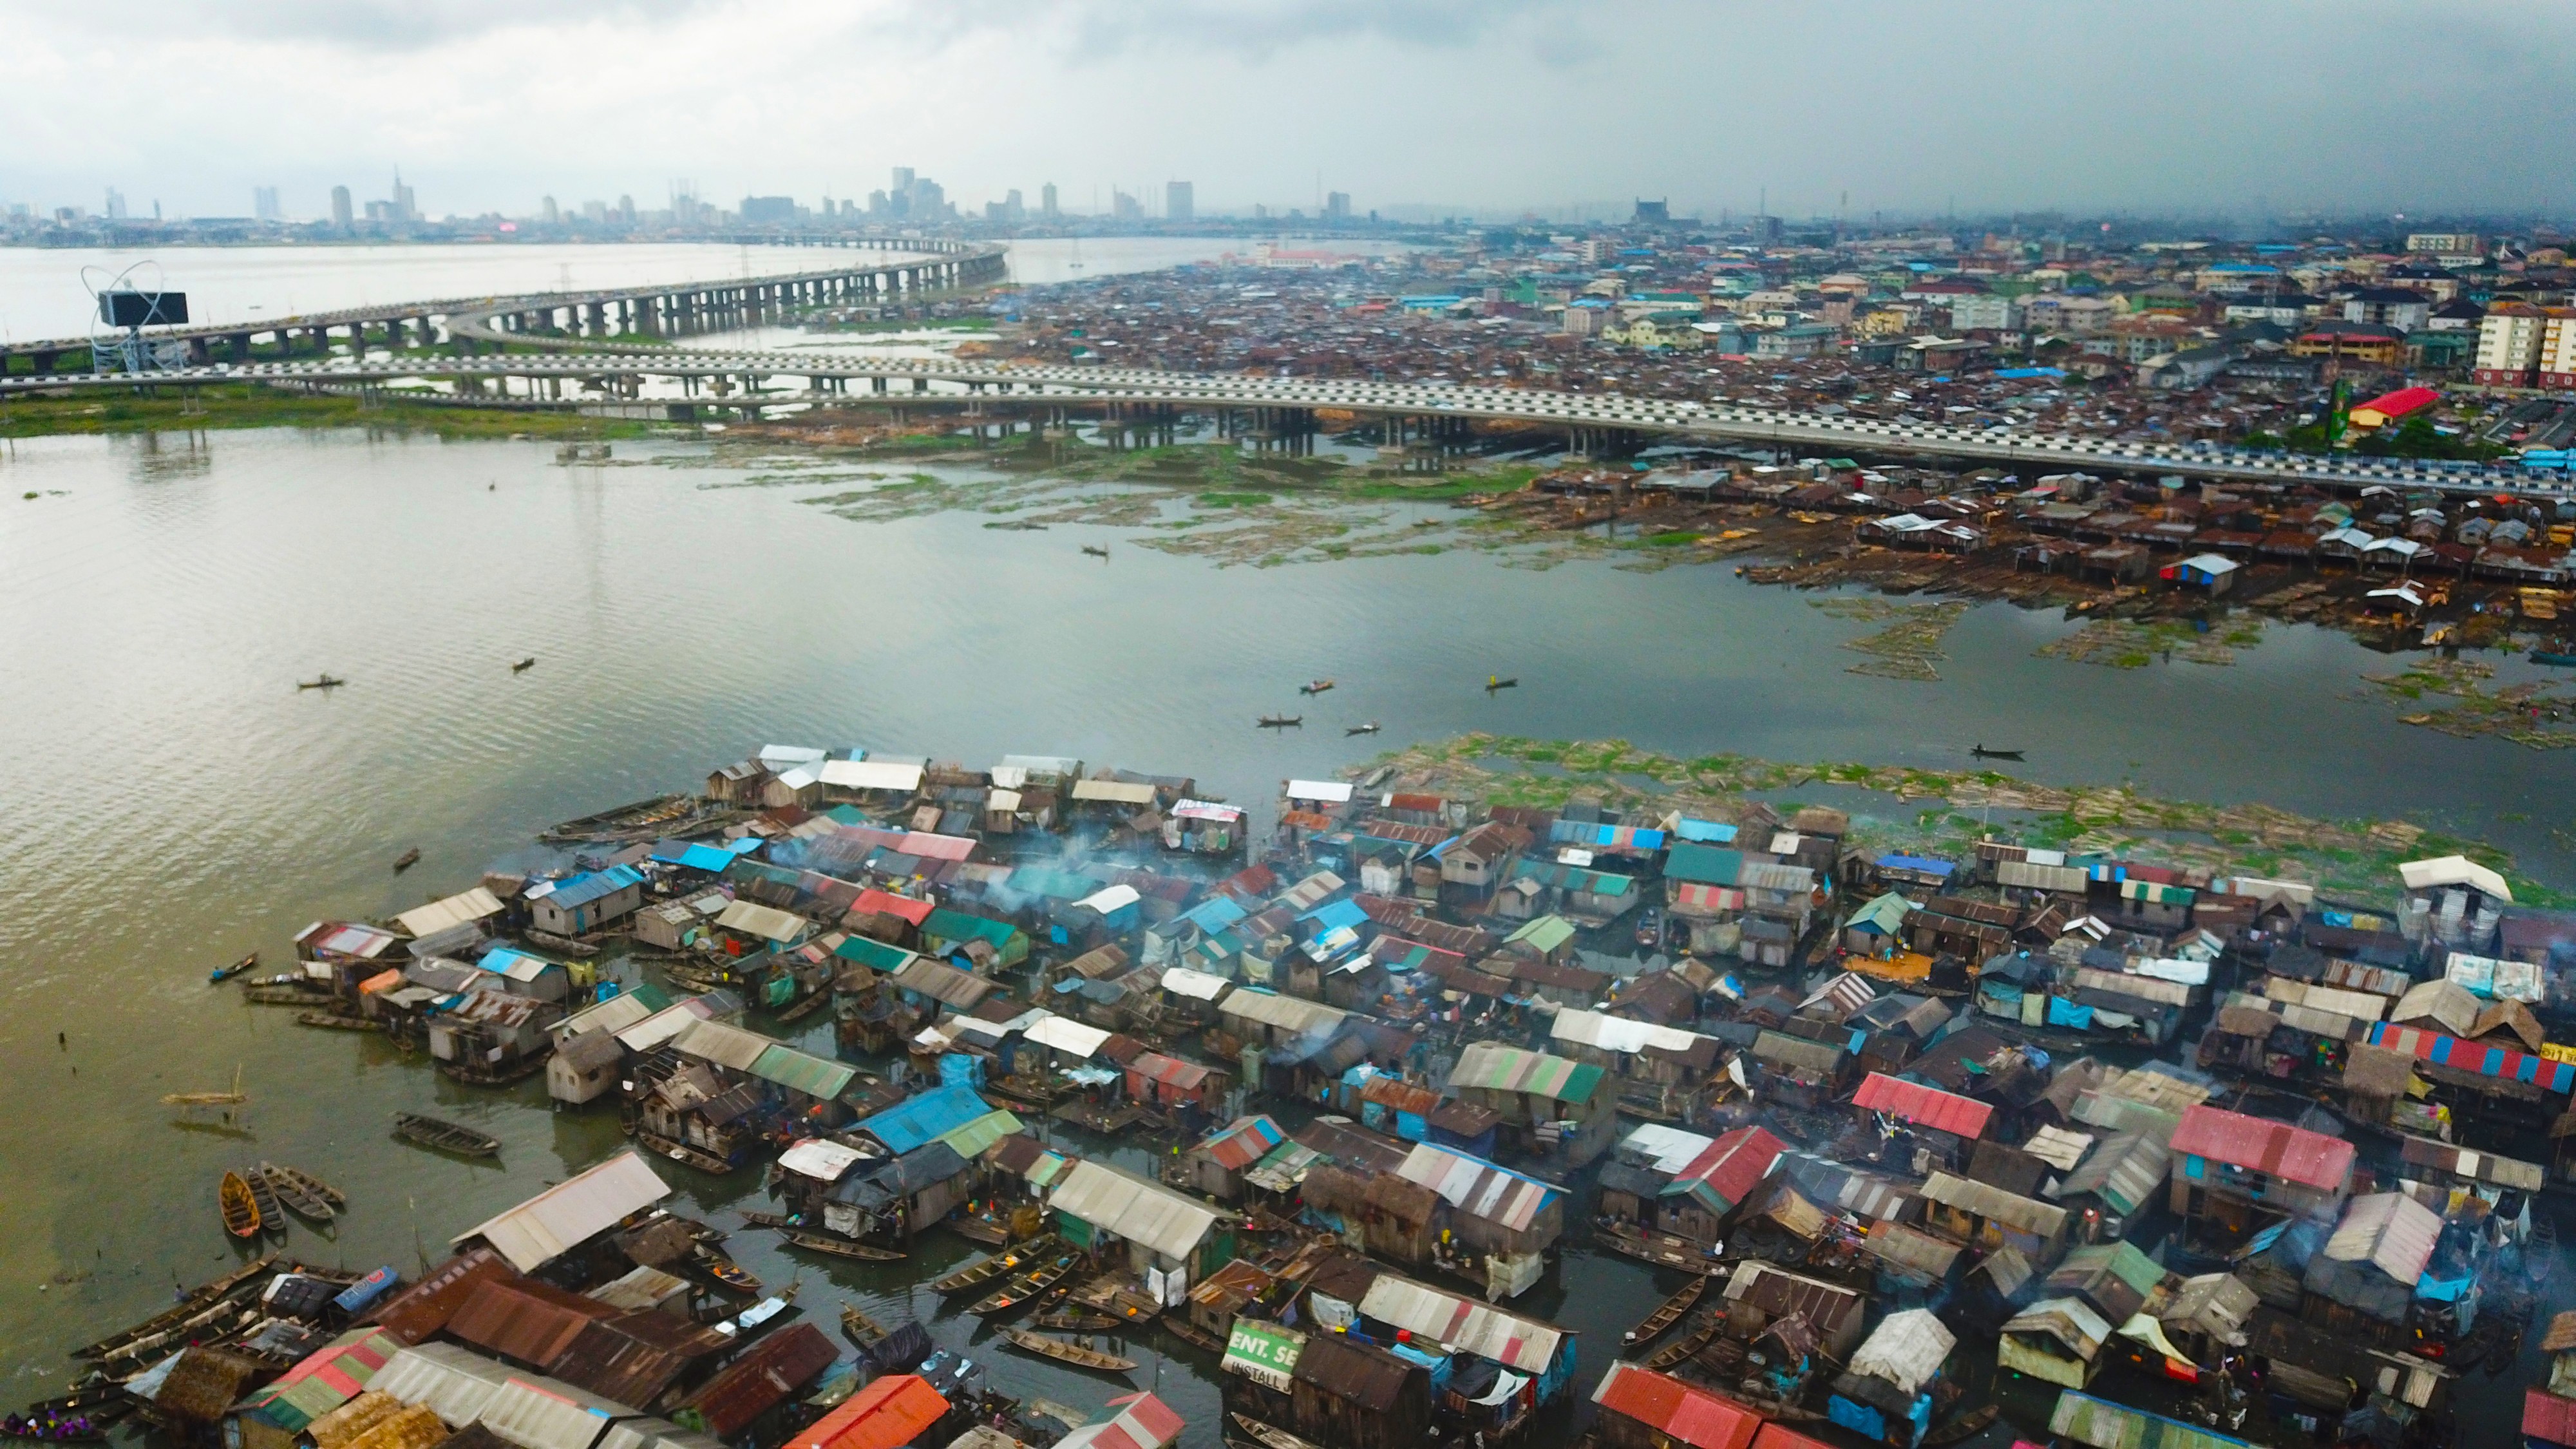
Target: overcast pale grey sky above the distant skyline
{"type": "Point", "coordinates": [1488, 107]}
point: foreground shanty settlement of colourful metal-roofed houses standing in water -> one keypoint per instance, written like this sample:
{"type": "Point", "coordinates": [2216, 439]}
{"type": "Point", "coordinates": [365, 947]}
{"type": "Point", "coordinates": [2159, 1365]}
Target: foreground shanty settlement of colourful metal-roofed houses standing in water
{"type": "Point", "coordinates": [1900, 1146]}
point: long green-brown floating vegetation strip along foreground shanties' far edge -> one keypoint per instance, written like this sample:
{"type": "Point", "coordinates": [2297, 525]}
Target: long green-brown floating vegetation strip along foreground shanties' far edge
{"type": "Point", "coordinates": [1954, 811]}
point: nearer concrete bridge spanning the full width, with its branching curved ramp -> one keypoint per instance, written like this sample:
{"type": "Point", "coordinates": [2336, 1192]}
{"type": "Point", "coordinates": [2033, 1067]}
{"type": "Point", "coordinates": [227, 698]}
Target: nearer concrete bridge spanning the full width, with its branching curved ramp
{"type": "Point", "coordinates": [607, 344]}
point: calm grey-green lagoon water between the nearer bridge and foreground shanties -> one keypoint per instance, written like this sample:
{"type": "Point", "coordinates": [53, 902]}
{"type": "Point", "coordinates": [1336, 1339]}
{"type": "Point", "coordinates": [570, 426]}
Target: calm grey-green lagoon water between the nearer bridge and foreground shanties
{"type": "Point", "coordinates": [169, 801]}
